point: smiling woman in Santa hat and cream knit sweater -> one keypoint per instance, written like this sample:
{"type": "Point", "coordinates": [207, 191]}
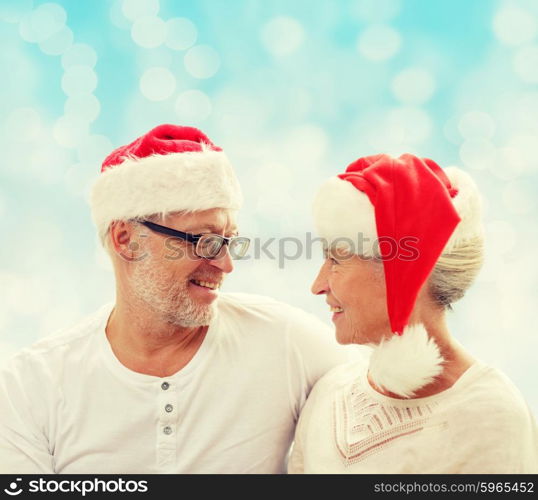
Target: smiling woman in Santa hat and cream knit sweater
{"type": "Point", "coordinates": [404, 242]}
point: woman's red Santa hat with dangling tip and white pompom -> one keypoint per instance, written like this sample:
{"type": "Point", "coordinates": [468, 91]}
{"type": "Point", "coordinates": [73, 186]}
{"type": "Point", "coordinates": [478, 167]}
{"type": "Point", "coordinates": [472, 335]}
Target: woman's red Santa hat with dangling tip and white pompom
{"type": "Point", "coordinates": [387, 199]}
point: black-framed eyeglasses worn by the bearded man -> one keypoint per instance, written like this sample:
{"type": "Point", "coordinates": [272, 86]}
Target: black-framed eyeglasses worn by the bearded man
{"type": "Point", "coordinates": [207, 245]}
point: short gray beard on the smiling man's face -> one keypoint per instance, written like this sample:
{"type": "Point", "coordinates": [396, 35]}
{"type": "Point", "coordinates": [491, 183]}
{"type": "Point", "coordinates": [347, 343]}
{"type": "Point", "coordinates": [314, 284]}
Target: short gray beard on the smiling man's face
{"type": "Point", "coordinates": [169, 300]}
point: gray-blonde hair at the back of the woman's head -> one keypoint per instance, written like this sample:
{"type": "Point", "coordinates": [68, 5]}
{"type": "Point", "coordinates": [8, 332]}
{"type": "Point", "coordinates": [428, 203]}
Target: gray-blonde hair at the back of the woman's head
{"type": "Point", "coordinates": [456, 270]}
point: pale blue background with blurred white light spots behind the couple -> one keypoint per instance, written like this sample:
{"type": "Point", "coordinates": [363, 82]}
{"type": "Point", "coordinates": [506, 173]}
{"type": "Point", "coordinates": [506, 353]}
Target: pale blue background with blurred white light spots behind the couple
{"type": "Point", "coordinates": [293, 91]}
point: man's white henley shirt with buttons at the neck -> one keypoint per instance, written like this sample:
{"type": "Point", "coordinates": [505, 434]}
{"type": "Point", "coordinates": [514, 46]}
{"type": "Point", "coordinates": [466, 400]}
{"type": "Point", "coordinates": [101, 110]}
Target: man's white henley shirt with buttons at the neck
{"type": "Point", "coordinates": [67, 405]}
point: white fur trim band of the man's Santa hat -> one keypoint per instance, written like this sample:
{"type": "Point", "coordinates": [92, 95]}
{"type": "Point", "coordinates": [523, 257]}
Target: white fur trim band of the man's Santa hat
{"type": "Point", "coordinates": [188, 181]}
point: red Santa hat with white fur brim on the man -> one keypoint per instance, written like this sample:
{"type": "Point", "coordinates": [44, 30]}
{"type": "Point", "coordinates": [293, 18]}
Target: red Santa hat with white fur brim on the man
{"type": "Point", "coordinates": [169, 169]}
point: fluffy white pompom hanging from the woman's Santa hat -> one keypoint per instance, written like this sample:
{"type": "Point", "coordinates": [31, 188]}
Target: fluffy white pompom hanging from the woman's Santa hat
{"type": "Point", "coordinates": [405, 363]}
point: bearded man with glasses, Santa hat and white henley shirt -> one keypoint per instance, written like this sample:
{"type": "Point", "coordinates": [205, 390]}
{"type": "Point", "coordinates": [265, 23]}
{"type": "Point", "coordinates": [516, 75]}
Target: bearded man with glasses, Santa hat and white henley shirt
{"type": "Point", "coordinates": [174, 377]}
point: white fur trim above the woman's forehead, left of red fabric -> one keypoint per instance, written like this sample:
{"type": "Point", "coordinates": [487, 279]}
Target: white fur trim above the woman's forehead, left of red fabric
{"type": "Point", "coordinates": [343, 214]}
